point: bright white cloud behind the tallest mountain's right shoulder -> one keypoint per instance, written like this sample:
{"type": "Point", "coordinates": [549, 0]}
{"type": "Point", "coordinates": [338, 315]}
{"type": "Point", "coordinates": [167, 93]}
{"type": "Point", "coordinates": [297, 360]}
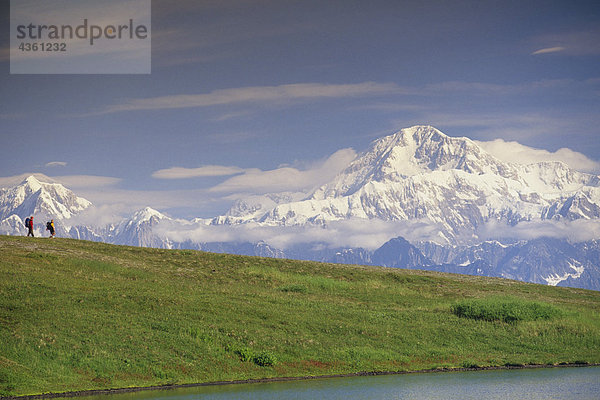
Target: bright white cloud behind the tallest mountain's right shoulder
{"type": "Point", "coordinates": [517, 153]}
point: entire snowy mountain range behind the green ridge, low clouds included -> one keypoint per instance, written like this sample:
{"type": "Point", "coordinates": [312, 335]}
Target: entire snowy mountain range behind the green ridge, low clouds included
{"type": "Point", "coordinates": [444, 203]}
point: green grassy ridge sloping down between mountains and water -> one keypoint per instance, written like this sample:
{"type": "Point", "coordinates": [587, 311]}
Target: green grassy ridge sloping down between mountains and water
{"type": "Point", "coordinates": [78, 315]}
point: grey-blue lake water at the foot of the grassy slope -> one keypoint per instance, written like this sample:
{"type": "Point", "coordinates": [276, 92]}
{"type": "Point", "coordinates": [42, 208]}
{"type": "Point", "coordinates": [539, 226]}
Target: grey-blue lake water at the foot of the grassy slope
{"type": "Point", "coordinates": [550, 383]}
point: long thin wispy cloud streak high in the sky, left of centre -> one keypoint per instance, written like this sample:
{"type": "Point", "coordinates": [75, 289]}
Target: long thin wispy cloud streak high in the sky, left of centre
{"type": "Point", "coordinates": [256, 94]}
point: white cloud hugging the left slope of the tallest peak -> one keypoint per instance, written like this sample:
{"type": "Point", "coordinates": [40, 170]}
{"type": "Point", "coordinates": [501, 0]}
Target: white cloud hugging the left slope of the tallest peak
{"type": "Point", "coordinates": [287, 178]}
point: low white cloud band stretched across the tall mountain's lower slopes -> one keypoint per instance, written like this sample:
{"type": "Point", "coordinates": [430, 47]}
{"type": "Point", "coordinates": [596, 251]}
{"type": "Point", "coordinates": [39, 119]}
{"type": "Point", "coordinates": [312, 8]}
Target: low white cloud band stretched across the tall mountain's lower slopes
{"type": "Point", "coordinates": [370, 234]}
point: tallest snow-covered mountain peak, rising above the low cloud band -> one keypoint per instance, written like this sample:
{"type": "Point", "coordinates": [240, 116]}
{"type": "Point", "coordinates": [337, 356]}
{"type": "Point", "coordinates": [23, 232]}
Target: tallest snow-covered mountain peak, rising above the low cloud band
{"type": "Point", "coordinates": [420, 173]}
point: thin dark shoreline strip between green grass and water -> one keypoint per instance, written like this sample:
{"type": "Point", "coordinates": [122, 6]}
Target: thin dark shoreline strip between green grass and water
{"type": "Point", "coordinates": [82, 393]}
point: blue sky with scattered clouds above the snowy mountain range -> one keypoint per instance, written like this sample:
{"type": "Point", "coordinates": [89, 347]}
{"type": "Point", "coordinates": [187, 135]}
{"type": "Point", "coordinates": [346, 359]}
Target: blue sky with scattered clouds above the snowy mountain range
{"type": "Point", "coordinates": [255, 96]}
